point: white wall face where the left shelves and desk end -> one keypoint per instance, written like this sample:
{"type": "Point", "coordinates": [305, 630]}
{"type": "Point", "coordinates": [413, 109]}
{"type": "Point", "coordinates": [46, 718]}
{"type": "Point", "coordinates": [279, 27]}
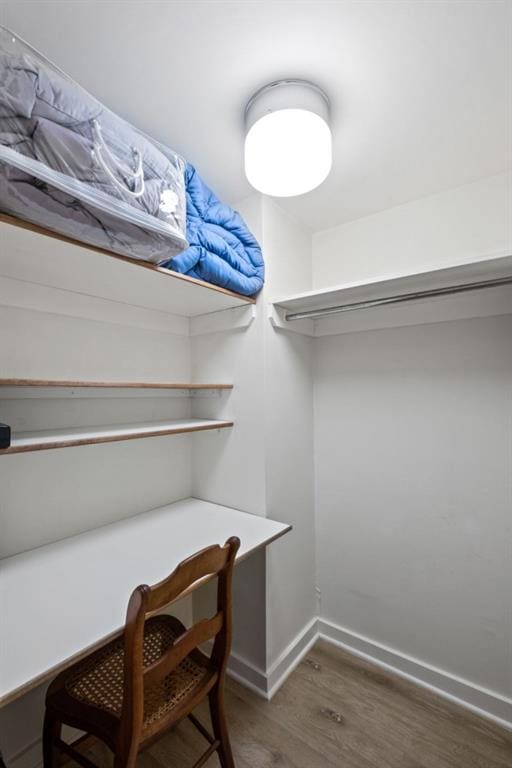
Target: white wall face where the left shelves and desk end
{"type": "Point", "coordinates": [232, 472]}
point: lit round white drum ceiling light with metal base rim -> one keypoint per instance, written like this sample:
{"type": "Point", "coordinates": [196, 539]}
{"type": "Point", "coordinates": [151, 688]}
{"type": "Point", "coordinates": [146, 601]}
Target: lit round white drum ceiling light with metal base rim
{"type": "Point", "coordinates": [288, 147]}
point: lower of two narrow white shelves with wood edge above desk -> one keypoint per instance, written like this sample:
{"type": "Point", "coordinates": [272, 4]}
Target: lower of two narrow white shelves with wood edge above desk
{"type": "Point", "coordinates": [22, 442]}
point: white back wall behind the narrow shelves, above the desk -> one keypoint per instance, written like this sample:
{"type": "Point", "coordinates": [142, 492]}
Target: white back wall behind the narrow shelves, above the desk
{"type": "Point", "coordinates": [72, 490]}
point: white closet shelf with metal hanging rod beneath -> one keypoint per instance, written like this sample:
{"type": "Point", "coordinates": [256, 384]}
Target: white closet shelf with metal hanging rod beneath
{"type": "Point", "coordinates": [456, 292]}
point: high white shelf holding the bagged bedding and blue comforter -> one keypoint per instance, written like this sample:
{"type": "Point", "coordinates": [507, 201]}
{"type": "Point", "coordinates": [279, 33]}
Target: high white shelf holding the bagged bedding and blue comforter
{"type": "Point", "coordinates": [38, 255]}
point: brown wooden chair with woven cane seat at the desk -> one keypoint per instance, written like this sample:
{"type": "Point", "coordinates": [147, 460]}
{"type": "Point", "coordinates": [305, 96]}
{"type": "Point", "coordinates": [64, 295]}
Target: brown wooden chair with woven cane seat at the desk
{"type": "Point", "coordinates": [149, 678]}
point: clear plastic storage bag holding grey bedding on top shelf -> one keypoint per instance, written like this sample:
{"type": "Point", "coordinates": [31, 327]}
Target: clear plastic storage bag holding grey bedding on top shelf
{"type": "Point", "coordinates": [69, 164]}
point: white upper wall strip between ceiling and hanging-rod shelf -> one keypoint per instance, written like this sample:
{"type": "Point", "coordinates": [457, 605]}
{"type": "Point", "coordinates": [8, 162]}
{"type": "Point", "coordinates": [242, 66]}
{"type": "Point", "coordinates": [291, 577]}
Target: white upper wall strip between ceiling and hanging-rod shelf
{"type": "Point", "coordinates": [470, 222]}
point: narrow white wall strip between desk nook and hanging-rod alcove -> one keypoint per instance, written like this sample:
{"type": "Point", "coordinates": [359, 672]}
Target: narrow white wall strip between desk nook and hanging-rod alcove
{"type": "Point", "coordinates": [289, 437]}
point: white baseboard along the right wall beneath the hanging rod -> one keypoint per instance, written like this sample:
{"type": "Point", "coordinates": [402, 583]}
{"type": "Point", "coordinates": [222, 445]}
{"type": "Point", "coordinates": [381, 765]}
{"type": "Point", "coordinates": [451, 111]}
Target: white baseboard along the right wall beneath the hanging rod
{"type": "Point", "coordinates": [482, 701]}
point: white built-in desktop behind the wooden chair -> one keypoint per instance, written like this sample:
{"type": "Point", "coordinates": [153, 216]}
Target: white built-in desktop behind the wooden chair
{"type": "Point", "coordinates": [59, 601]}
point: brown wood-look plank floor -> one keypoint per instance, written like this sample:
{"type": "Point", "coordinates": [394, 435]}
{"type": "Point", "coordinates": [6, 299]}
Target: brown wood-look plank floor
{"type": "Point", "coordinates": [337, 711]}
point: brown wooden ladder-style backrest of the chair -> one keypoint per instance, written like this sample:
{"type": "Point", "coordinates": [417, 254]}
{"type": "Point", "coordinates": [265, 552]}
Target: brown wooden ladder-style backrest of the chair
{"type": "Point", "coordinates": [215, 561]}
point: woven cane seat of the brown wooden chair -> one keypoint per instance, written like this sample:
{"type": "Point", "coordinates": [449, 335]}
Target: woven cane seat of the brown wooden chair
{"type": "Point", "coordinates": [98, 680]}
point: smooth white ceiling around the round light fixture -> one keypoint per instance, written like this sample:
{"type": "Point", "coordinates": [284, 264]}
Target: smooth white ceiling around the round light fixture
{"type": "Point", "coordinates": [421, 90]}
